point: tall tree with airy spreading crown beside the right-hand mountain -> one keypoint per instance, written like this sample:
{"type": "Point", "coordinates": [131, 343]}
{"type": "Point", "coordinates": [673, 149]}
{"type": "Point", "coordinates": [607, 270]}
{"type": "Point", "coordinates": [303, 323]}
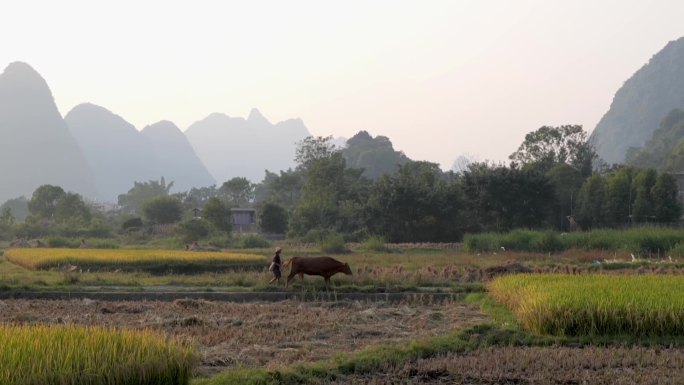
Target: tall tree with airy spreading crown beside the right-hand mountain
{"type": "Point", "coordinates": [549, 146]}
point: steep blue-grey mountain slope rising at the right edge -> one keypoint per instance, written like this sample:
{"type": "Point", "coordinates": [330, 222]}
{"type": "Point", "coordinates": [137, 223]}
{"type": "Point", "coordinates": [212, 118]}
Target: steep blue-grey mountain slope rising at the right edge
{"type": "Point", "coordinates": [641, 103]}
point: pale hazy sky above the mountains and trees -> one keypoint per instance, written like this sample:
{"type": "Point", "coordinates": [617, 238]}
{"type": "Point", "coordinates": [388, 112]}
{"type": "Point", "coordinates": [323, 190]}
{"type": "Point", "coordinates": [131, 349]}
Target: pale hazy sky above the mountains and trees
{"type": "Point", "coordinates": [439, 78]}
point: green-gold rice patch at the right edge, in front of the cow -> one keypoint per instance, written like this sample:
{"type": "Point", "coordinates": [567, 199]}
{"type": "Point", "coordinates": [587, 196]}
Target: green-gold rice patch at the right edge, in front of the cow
{"type": "Point", "coordinates": [594, 304]}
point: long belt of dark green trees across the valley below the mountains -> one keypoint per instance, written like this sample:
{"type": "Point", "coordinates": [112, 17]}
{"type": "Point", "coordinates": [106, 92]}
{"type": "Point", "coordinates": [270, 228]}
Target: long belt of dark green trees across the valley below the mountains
{"type": "Point", "coordinates": [553, 181]}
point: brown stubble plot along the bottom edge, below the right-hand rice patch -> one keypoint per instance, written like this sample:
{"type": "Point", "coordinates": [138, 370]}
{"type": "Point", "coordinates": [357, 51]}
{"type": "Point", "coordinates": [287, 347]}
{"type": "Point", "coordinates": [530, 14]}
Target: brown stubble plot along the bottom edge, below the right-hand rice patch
{"type": "Point", "coordinates": [538, 365]}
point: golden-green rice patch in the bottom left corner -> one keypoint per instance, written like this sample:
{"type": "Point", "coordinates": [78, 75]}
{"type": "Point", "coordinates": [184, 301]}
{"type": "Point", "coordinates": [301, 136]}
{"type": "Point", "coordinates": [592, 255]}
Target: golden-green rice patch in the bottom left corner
{"type": "Point", "coordinates": [78, 355]}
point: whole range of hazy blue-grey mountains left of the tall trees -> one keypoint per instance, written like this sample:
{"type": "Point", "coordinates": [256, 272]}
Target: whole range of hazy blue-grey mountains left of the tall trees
{"type": "Point", "coordinates": [98, 154]}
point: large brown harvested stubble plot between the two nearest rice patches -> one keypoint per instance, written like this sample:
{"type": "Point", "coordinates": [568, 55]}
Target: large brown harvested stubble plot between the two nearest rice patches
{"type": "Point", "coordinates": [260, 335]}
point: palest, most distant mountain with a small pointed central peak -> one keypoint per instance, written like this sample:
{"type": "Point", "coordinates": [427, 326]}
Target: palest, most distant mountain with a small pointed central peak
{"type": "Point", "coordinates": [238, 147]}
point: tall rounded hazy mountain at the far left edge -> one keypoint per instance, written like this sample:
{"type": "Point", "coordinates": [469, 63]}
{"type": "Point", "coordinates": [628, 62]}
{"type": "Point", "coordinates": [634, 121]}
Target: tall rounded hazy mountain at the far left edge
{"type": "Point", "coordinates": [36, 146]}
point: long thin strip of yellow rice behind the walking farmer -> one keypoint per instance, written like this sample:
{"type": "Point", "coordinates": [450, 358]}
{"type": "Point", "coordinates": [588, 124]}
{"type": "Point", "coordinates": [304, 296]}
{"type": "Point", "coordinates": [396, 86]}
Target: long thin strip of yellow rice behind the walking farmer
{"type": "Point", "coordinates": [45, 258]}
